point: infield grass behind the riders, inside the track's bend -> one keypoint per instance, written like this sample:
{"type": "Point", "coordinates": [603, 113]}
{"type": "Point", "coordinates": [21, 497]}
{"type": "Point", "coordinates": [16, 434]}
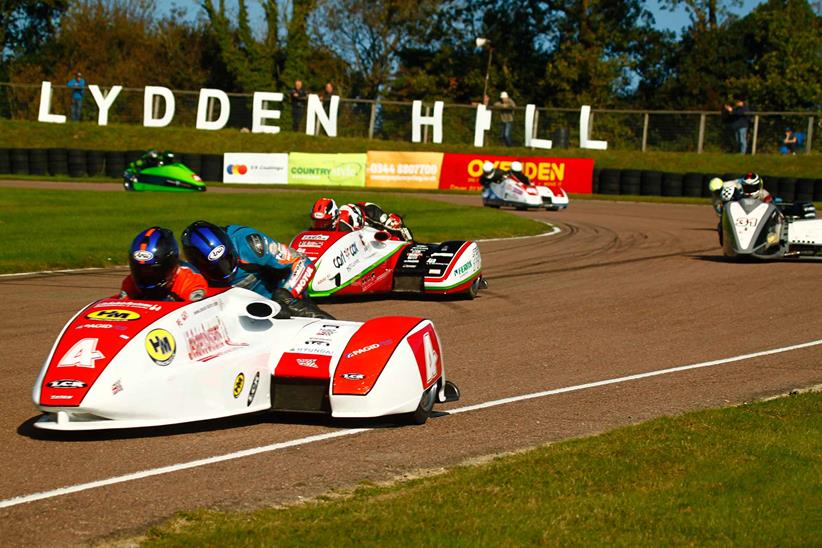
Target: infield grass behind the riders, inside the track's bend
{"type": "Point", "coordinates": [53, 229]}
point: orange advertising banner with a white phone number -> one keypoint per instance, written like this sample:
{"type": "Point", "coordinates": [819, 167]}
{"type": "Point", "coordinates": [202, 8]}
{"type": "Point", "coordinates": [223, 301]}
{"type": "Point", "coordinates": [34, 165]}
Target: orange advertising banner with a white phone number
{"type": "Point", "coordinates": [403, 169]}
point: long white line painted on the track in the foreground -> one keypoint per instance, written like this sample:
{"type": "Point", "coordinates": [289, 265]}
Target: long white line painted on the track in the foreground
{"type": "Point", "coordinates": [23, 499]}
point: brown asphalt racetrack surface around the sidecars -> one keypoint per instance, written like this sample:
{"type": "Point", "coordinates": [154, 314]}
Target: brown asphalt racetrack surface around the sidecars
{"type": "Point", "coordinates": [623, 289]}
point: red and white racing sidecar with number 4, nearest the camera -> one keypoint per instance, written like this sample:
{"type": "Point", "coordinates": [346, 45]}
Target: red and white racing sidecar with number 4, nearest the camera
{"type": "Point", "coordinates": [127, 364]}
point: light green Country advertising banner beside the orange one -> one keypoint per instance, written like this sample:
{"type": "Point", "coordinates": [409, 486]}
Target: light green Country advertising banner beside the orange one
{"type": "Point", "coordinates": [326, 169]}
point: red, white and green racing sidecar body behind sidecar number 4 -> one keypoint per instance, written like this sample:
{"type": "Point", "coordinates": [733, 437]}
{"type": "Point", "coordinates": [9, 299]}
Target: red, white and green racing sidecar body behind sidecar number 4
{"type": "Point", "coordinates": [372, 261]}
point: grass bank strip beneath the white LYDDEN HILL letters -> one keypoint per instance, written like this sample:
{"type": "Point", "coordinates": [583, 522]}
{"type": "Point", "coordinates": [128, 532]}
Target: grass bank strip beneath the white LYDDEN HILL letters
{"type": "Point", "coordinates": [17, 133]}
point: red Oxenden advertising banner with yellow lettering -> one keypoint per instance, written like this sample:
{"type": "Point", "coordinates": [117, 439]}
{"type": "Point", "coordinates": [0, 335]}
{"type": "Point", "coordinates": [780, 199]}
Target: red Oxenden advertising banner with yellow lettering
{"type": "Point", "coordinates": [574, 175]}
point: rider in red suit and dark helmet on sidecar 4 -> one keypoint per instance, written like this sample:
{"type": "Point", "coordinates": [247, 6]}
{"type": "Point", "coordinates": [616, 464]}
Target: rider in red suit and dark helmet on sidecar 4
{"type": "Point", "coordinates": [156, 271]}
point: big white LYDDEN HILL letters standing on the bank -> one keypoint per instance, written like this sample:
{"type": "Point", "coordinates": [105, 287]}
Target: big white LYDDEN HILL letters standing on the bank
{"type": "Point", "coordinates": [265, 109]}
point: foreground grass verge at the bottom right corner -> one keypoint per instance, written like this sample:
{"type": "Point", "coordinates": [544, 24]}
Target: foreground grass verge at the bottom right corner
{"type": "Point", "coordinates": [748, 475]}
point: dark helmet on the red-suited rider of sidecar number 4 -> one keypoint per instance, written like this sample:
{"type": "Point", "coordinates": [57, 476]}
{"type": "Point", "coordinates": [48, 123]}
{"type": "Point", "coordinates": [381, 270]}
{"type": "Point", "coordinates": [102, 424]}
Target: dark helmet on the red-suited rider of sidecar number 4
{"type": "Point", "coordinates": [153, 259]}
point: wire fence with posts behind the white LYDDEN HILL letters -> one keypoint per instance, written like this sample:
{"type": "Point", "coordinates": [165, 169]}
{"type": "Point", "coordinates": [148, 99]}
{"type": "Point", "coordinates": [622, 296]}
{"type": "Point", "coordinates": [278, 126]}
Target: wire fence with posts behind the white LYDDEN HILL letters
{"type": "Point", "coordinates": [636, 130]}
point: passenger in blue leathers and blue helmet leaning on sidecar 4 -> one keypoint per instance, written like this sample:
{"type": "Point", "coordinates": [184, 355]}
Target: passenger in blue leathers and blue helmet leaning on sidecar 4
{"type": "Point", "coordinates": [241, 256]}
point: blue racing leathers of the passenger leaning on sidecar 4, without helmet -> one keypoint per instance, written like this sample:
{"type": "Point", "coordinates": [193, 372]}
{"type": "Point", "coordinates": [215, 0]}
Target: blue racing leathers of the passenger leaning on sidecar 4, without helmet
{"type": "Point", "coordinates": [273, 270]}
